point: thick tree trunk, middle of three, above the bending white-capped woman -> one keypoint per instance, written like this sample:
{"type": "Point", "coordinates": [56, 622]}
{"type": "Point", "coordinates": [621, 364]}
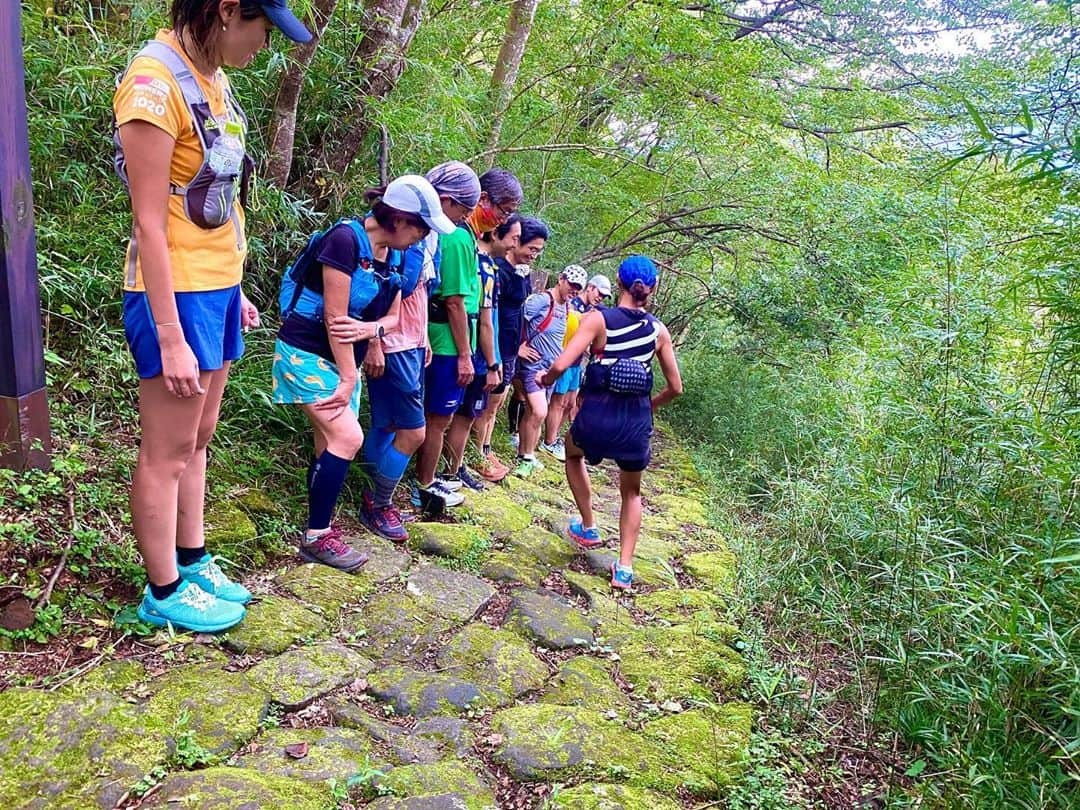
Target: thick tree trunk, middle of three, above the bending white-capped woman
{"type": "Point", "coordinates": [389, 28]}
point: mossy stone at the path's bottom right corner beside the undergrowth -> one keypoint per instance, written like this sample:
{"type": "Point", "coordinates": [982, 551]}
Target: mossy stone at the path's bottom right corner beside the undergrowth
{"type": "Point", "coordinates": [707, 749]}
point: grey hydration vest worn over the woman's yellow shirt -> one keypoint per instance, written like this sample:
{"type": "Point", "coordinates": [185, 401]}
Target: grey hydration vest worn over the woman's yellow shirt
{"type": "Point", "coordinates": [209, 197]}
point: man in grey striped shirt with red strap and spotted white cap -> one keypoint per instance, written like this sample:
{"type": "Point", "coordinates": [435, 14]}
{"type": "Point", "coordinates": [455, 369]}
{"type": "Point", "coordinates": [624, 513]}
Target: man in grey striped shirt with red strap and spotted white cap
{"type": "Point", "coordinates": [544, 318]}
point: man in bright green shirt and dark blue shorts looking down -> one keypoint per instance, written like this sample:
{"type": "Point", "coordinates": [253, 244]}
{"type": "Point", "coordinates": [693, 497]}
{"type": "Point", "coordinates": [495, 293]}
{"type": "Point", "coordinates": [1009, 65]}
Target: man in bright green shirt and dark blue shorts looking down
{"type": "Point", "coordinates": [454, 328]}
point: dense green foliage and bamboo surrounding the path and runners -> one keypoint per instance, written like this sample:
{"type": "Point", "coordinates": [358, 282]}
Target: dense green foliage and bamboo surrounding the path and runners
{"type": "Point", "coordinates": [880, 340]}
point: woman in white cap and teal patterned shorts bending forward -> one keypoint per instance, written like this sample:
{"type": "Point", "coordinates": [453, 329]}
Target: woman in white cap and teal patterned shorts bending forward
{"type": "Point", "coordinates": [348, 295]}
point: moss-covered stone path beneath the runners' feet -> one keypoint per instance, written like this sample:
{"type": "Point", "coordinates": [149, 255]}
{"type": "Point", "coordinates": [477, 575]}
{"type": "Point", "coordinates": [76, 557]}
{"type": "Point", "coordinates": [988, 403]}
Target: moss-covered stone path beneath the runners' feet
{"type": "Point", "coordinates": [478, 667]}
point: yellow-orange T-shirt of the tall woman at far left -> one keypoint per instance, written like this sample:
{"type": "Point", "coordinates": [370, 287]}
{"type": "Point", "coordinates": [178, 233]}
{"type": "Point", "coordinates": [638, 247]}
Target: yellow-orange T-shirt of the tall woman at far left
{"type": "Point", "coordinates": [201, 259]}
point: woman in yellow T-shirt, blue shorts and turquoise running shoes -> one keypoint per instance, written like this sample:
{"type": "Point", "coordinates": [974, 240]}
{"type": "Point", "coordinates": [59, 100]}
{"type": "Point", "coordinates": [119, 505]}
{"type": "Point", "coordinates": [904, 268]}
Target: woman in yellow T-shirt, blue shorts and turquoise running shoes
{"type": "Point", "coordinates": [181, 152]}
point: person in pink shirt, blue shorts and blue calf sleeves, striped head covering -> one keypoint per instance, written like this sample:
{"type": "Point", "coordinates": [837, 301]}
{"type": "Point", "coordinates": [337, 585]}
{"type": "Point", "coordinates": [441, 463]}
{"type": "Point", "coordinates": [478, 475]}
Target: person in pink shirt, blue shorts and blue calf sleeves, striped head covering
{"type": "Point", "coordinates": [395, 367]}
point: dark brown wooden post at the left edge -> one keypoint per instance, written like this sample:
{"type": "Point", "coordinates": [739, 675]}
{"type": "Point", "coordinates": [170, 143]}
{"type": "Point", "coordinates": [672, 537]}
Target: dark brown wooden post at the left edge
{"type": "Point", "coordinates": [24, 412]}
